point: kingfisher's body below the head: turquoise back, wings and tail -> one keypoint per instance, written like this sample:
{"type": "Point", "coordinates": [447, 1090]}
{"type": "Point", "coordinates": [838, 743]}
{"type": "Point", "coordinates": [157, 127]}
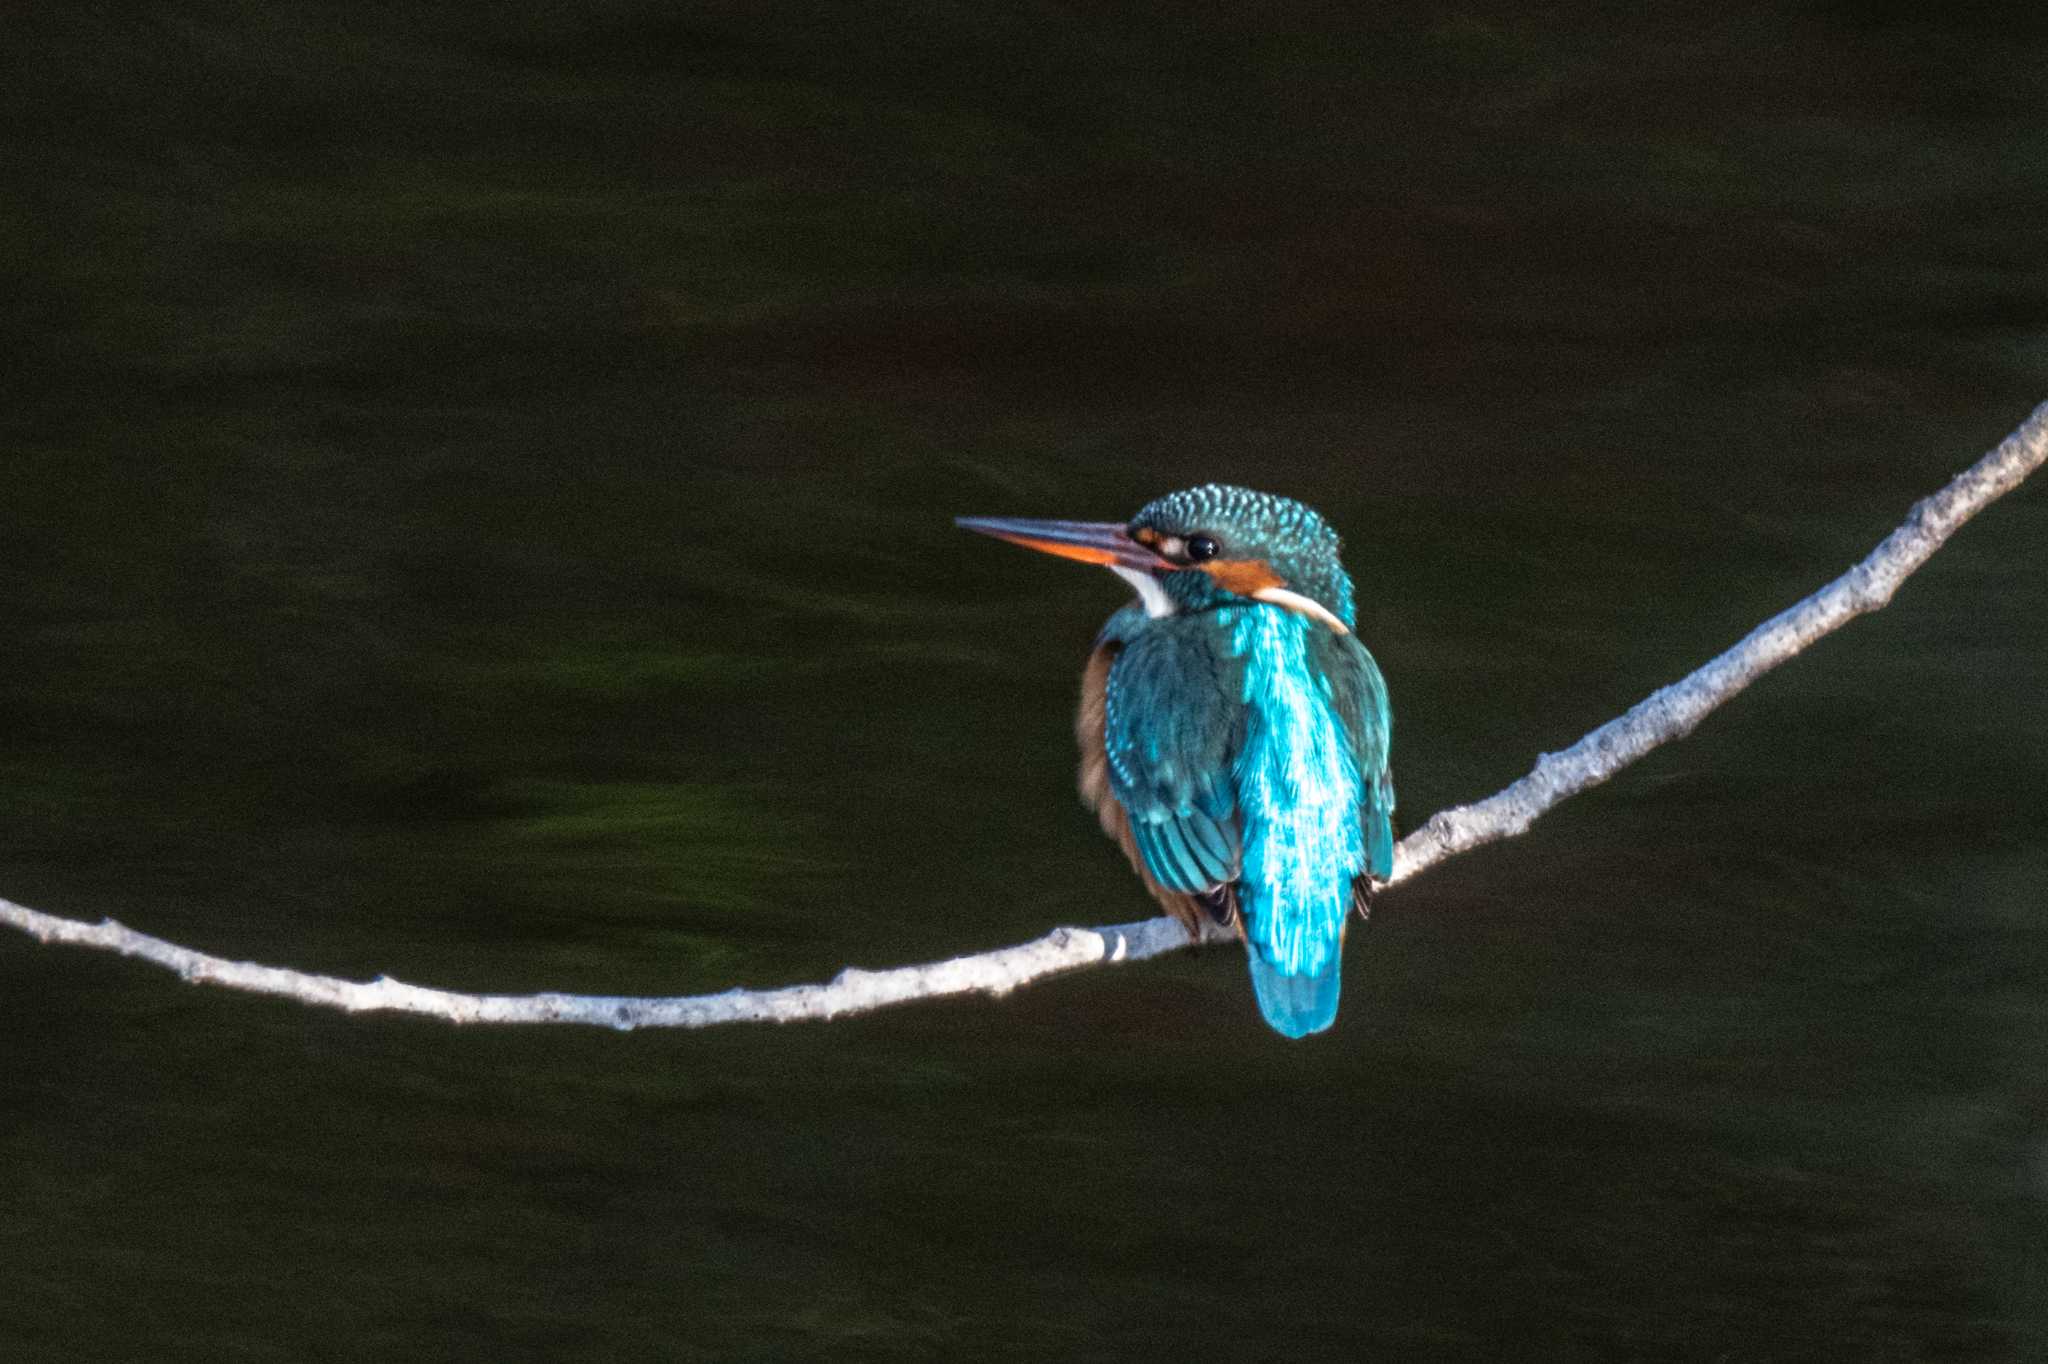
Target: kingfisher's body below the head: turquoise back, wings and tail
{"type": "Point", "coordinates": [1240, 759]}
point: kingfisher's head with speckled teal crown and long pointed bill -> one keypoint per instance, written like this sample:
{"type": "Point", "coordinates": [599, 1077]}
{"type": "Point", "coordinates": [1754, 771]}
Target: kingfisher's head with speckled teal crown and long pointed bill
{"type": "Point", "coordinates": [1205, 548]}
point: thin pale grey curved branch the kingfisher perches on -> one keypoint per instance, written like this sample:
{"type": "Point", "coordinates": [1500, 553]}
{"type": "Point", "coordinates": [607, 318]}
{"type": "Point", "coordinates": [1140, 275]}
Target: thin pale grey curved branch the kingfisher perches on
{"type": "Point", "coordinates": [1666, 716]}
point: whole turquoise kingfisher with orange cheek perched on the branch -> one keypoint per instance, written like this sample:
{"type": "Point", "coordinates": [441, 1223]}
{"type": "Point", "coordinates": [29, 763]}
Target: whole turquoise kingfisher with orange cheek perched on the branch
{"type": "Point", "coordinates": [1234, 732]}
